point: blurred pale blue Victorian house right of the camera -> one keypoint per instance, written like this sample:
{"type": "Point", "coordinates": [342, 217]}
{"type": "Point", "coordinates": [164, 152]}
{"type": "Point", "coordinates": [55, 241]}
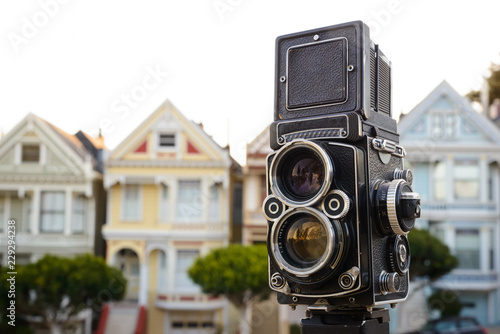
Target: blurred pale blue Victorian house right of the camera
{"type": "Point", "coordinates": [454, 153]}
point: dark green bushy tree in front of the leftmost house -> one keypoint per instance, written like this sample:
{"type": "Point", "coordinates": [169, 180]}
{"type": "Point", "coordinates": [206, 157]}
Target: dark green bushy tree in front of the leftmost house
{"type": "Point", "coordinates": [54, 290]}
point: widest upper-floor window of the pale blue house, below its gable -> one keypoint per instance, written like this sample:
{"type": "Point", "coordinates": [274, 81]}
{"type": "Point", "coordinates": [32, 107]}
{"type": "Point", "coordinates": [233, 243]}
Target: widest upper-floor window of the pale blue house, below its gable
{"type": "Point", "coordinates": [466, 179]}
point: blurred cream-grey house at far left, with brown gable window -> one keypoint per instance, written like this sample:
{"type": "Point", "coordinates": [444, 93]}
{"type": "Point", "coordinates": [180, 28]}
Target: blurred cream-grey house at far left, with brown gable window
{"type": "Point", "coordinates": [51, 185]}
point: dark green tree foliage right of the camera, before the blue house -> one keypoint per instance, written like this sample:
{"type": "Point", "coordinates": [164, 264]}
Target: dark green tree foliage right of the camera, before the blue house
{"type": "Point", "coordinates": [429, 256]}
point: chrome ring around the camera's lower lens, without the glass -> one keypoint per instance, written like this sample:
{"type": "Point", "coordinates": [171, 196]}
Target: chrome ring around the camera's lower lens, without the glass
{"type": "Point", "coordinates": [325, 258]}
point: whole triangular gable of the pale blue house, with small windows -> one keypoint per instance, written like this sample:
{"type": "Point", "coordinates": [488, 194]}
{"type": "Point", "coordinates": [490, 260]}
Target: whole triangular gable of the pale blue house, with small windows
{"type": "Point", "coordinates": [445, 116]}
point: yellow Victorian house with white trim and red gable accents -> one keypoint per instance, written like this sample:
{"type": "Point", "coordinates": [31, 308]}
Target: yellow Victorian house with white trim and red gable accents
{"type": "Point", "coordinates": [169, 201]}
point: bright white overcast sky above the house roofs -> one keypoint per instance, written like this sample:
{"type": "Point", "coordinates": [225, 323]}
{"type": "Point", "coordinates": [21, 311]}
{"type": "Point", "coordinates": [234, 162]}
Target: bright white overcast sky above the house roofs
{"type": "Point", "coordinates": [85, 65]}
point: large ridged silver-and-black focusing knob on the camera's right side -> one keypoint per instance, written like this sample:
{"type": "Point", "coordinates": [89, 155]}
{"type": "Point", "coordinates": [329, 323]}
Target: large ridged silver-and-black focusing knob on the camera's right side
{"type": "Point", "coordinates": [397, 206]}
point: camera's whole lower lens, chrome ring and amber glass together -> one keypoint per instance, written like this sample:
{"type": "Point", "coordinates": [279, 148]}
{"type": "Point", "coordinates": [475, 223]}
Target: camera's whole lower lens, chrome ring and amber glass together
{"type": "Point", "coordinates": [312, 235]}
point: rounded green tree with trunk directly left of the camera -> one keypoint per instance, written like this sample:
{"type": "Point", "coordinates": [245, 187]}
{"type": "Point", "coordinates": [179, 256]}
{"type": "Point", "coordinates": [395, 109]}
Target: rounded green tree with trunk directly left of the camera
{"type": "Point", "coordinates": [237, 272]}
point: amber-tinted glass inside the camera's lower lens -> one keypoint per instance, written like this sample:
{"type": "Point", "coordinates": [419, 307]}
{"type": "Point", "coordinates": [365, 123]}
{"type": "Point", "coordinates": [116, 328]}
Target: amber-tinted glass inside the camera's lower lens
{"type": "Point", "coordinates": [306, 240]}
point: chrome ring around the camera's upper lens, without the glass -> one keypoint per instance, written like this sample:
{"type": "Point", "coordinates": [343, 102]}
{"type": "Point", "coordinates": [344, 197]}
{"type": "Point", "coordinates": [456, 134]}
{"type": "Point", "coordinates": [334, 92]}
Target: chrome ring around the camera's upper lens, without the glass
{"type": "Point", "coordinates": [283, 152]}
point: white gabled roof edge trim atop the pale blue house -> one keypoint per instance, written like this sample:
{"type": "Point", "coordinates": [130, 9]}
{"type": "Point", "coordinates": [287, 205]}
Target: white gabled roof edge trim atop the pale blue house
{"type": "Point", "coordinates": [462, 103]}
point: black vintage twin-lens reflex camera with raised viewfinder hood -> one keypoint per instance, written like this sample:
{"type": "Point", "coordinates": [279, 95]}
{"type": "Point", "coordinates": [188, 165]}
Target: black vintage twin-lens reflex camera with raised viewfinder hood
{"type": "Point", "coordinates": [339, 202]}
